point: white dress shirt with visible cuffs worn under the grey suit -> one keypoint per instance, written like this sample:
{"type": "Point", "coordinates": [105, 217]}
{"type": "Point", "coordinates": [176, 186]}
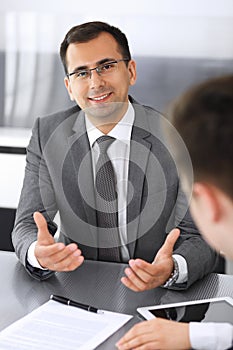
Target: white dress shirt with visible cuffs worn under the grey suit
{"type": "Point", "coordinates": [118, 153]}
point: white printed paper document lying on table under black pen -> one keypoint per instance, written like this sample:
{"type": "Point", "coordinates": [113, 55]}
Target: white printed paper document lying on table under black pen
{"type": "Point", "coordinates": [57, 326]}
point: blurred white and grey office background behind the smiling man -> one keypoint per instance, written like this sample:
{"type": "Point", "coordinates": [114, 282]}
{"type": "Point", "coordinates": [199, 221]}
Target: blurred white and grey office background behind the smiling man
{"type": "Point", "coordinates": [175, 44]}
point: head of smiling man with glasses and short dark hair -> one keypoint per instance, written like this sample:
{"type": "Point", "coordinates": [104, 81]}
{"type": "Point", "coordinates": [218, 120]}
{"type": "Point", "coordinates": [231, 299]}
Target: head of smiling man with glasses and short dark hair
{"type": "Point", "coordinates": [99, 71]}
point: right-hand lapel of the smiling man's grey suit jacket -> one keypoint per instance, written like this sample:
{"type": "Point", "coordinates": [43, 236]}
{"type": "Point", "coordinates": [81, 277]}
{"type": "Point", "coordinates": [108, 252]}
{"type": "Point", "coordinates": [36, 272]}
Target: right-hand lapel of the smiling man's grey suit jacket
{"type": "Point", "coordinates": [139, 152]}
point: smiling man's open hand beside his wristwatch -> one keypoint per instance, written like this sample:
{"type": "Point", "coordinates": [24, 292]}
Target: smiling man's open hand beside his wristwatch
{"type": "Point", "coordinates": [141, 275]}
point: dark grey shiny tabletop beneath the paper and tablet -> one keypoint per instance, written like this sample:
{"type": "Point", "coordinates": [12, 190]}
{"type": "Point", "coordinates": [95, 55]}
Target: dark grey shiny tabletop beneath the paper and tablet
{"type": "Point", "coordinates": [94, 283]}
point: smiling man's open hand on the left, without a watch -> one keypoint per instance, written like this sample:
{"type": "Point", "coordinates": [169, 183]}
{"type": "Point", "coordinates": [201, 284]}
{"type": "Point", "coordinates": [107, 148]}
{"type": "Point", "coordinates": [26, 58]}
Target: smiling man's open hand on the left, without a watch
{"type": "Point", "coordinates": [51, 255]}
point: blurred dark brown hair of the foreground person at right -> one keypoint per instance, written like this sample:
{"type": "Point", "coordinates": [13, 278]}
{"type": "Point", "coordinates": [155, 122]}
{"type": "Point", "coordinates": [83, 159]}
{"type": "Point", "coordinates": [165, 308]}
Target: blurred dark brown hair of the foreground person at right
{"type": "Point", "coordinates": [203, 116]}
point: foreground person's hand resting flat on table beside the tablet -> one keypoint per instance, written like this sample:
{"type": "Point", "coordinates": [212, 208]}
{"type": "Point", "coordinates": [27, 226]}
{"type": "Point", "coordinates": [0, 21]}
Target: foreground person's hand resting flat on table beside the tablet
{"type": "Point", "coordinates": [156, 334]}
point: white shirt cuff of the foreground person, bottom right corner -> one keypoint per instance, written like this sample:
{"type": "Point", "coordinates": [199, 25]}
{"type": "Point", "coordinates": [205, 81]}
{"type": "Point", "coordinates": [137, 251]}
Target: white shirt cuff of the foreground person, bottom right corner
{"type": "Point", "coordinates": [210, 335]}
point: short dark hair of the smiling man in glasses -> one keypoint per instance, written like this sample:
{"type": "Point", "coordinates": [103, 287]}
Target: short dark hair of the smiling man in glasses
{"type": "Point", "coordinates": [91, 30]}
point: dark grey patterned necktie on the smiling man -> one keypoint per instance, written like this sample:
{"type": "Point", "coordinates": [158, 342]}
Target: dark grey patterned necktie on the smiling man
{"type": "Point", "coordinates": [106, 204]}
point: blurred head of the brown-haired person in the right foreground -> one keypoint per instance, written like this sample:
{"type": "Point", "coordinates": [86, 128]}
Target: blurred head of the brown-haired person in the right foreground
{"type": "Point", "coordinates": [203, 116]}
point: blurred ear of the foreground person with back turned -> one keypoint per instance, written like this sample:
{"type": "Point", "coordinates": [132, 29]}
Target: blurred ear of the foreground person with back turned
{"type": "Point", "coordinates": [206, 200]}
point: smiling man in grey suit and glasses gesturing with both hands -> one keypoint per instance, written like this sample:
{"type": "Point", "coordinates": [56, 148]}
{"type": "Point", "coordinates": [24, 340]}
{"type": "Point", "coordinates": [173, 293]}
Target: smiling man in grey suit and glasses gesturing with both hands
{"type": "Point", "coordinates": [61, 168]}
